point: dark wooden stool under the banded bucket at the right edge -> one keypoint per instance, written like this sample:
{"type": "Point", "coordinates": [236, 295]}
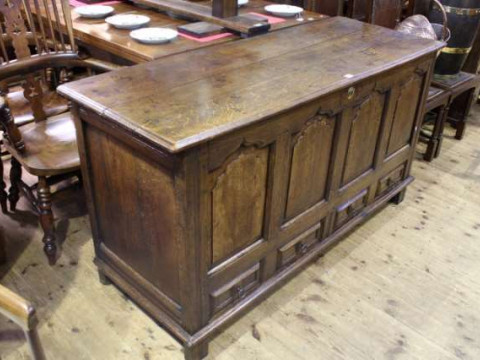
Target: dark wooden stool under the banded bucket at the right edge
{"type": "Point", "coordinates": [462, 87]}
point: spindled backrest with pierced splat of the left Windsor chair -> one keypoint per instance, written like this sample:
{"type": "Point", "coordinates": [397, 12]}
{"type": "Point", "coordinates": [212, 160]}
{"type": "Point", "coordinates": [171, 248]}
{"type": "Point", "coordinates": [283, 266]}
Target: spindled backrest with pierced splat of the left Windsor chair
{"type": "Point", "coordinates": [39, 34]}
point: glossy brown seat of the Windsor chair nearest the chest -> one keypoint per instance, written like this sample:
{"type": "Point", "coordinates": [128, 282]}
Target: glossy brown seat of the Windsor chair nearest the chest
{"type": "Point", "coordinates": [50, 147]}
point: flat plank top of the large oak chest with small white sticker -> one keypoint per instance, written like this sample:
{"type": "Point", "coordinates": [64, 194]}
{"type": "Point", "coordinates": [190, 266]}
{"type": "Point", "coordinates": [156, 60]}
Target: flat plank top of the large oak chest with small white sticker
{"type": "Point", "coordinates": [186, 99]}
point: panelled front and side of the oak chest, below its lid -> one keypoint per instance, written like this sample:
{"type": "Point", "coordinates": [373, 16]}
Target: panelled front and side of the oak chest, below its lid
{"type": "Point", "coordinates": [200, 234]}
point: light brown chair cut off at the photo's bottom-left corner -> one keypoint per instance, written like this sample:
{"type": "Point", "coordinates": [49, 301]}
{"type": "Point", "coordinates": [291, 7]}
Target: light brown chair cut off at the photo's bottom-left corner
{"type": "Point", "coordinates": [21, 312]}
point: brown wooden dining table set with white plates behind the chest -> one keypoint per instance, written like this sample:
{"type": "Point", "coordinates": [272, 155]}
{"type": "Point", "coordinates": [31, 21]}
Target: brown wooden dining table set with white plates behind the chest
{"type": "Point", "coordinates": [105, 42]}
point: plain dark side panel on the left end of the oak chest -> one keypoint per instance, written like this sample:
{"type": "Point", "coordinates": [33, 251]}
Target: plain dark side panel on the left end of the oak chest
{"type": "Point", "coordinates": [135, 210]}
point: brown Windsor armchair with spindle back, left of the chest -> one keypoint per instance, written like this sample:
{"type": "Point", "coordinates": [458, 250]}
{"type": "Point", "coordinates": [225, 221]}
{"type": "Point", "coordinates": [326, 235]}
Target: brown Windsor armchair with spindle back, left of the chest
{"type": "Point", "coordinates": [47, 147]}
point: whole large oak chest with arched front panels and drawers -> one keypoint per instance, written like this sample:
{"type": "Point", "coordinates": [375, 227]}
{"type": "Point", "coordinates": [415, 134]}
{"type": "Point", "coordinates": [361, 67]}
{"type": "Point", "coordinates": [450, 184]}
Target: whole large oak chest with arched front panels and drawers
{"type": "Point", "coordinates": [213, 176]}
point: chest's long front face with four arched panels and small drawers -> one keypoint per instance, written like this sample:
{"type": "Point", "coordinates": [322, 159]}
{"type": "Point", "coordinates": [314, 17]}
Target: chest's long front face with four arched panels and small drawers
{"type": "Point", "coordinates": [274, 193]}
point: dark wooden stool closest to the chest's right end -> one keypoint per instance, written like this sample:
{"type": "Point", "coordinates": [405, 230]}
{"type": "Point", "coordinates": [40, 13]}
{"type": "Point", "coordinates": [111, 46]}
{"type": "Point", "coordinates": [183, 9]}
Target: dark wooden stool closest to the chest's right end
{"type": "Point", "coordinates": [437, 102]}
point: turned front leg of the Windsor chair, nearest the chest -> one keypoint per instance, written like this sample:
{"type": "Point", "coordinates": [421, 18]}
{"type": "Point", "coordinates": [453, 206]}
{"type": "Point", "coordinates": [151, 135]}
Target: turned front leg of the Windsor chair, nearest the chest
{"type": "Point", "coordinates": [46, 219]}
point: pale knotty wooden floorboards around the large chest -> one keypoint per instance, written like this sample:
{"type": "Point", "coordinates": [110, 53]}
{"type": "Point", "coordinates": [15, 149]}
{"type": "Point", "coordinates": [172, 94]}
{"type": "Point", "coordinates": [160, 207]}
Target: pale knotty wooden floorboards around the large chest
{"type": "Point", "coordinates": [406, 285]}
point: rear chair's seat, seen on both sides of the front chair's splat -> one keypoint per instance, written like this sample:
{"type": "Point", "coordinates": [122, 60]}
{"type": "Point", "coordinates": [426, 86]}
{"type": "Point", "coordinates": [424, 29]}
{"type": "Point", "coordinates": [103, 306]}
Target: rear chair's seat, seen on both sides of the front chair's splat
{"type": "Point", "coordinates": [53, 104]}
